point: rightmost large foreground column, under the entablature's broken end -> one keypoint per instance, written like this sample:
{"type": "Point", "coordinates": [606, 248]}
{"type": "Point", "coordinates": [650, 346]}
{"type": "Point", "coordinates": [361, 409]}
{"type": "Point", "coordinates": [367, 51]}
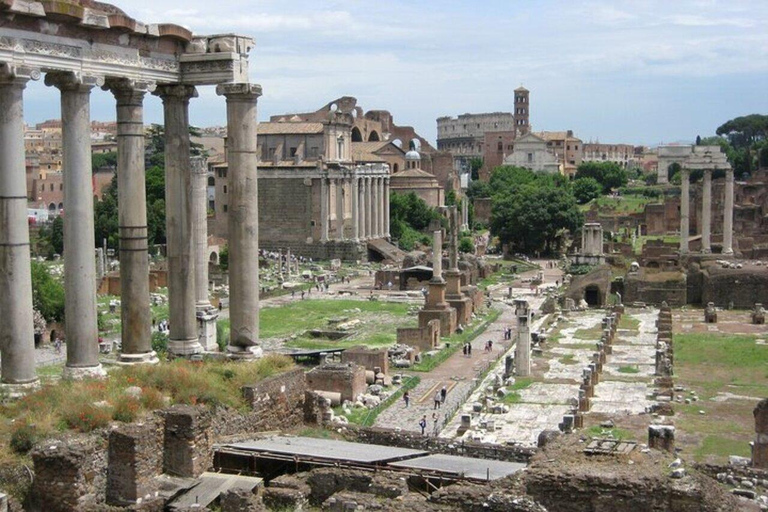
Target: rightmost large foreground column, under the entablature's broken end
{"type": "Point", "coordinates": [244, 226]}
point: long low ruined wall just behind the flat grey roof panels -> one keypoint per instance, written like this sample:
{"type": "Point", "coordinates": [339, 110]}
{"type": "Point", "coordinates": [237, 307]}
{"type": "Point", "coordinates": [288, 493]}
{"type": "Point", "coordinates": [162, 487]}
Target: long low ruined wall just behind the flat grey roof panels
{"type": "Point", "coordinates": [415, 441]}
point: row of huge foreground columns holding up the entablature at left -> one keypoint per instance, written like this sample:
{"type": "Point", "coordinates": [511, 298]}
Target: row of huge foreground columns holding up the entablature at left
{"type": "Point", "coordinates": [185, 225]}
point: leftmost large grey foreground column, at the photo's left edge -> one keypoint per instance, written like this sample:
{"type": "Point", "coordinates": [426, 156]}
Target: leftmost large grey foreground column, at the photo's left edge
{"type": "Point", "coordinates": [17, 335]}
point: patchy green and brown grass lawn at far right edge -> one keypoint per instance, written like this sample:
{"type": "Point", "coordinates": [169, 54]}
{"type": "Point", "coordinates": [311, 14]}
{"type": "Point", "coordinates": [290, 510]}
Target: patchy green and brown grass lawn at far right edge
{"type": "Point", "coordinates": [714, 364]}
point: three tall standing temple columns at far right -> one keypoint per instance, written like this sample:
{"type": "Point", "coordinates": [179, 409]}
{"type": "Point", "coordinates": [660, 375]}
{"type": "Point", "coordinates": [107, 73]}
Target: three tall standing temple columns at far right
{"type": "Point", "coordinates": [706, 212]}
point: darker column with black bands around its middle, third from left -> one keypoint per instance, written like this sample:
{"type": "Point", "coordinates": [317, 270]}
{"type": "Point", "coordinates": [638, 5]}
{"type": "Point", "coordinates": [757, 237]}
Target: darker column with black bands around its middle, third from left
{"type": "Point", "coordinates": [135, 313]}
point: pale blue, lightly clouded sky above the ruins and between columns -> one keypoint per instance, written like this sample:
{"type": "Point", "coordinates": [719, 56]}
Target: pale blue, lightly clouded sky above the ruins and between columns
{"type": "Point", "coordinates": [621, 71]}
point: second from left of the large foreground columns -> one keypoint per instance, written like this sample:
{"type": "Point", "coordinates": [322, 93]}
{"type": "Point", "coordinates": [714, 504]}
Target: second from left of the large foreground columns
{"type": "Point", "coordinates": [79, 241]}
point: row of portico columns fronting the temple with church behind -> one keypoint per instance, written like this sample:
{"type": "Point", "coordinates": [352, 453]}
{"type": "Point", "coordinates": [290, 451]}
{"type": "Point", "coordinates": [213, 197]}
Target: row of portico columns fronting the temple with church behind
{"type": "Point", "coordinates": [370, 208]}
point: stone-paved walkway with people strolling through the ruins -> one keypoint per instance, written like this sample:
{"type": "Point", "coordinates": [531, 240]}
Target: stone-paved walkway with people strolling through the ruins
{"type": "Point", "coordinates": [459, 373]}
